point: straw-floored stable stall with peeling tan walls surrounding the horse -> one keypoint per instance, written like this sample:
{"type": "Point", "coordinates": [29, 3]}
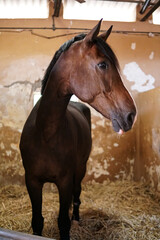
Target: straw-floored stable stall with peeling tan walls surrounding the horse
{"type": "Point", "coordinates": [121, 189]}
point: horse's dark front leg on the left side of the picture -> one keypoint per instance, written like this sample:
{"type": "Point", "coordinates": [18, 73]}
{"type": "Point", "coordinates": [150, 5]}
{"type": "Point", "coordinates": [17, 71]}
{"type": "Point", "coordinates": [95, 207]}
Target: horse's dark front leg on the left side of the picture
{"type": "Point", "coordinates": [34, 188]}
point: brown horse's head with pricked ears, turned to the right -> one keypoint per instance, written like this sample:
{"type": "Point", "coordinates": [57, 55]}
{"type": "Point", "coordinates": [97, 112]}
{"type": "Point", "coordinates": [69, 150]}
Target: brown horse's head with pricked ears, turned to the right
{"type": "Point", "coordinates": [94, 77]}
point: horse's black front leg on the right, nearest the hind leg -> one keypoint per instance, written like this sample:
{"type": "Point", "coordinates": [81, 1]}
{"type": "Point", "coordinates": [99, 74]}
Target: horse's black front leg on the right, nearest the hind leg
{"type": "Point", "coordinates": [65, 196]}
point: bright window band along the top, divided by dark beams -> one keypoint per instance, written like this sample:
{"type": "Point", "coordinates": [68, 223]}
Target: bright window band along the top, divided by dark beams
{"type": "Point", "coordinates": [109, 10]}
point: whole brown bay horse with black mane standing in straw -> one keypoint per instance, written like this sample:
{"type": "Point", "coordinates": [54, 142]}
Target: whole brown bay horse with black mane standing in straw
{"type": "Point", "coordinates": [56, 139]}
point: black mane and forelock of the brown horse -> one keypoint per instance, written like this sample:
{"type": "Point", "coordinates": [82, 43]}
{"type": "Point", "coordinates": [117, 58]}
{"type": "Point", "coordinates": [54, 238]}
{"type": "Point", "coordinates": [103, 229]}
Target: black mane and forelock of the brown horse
{"type": "Point", "coordinates": [102, 45]}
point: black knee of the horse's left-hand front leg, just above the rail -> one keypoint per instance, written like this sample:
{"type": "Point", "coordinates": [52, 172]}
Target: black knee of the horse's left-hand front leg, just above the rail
{"type": "Point", "coordinates": [37, 225]}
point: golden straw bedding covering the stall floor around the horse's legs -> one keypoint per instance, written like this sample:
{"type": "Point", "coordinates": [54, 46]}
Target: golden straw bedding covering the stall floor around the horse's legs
{"type": "Point", "coordinates": [112, 210]}
